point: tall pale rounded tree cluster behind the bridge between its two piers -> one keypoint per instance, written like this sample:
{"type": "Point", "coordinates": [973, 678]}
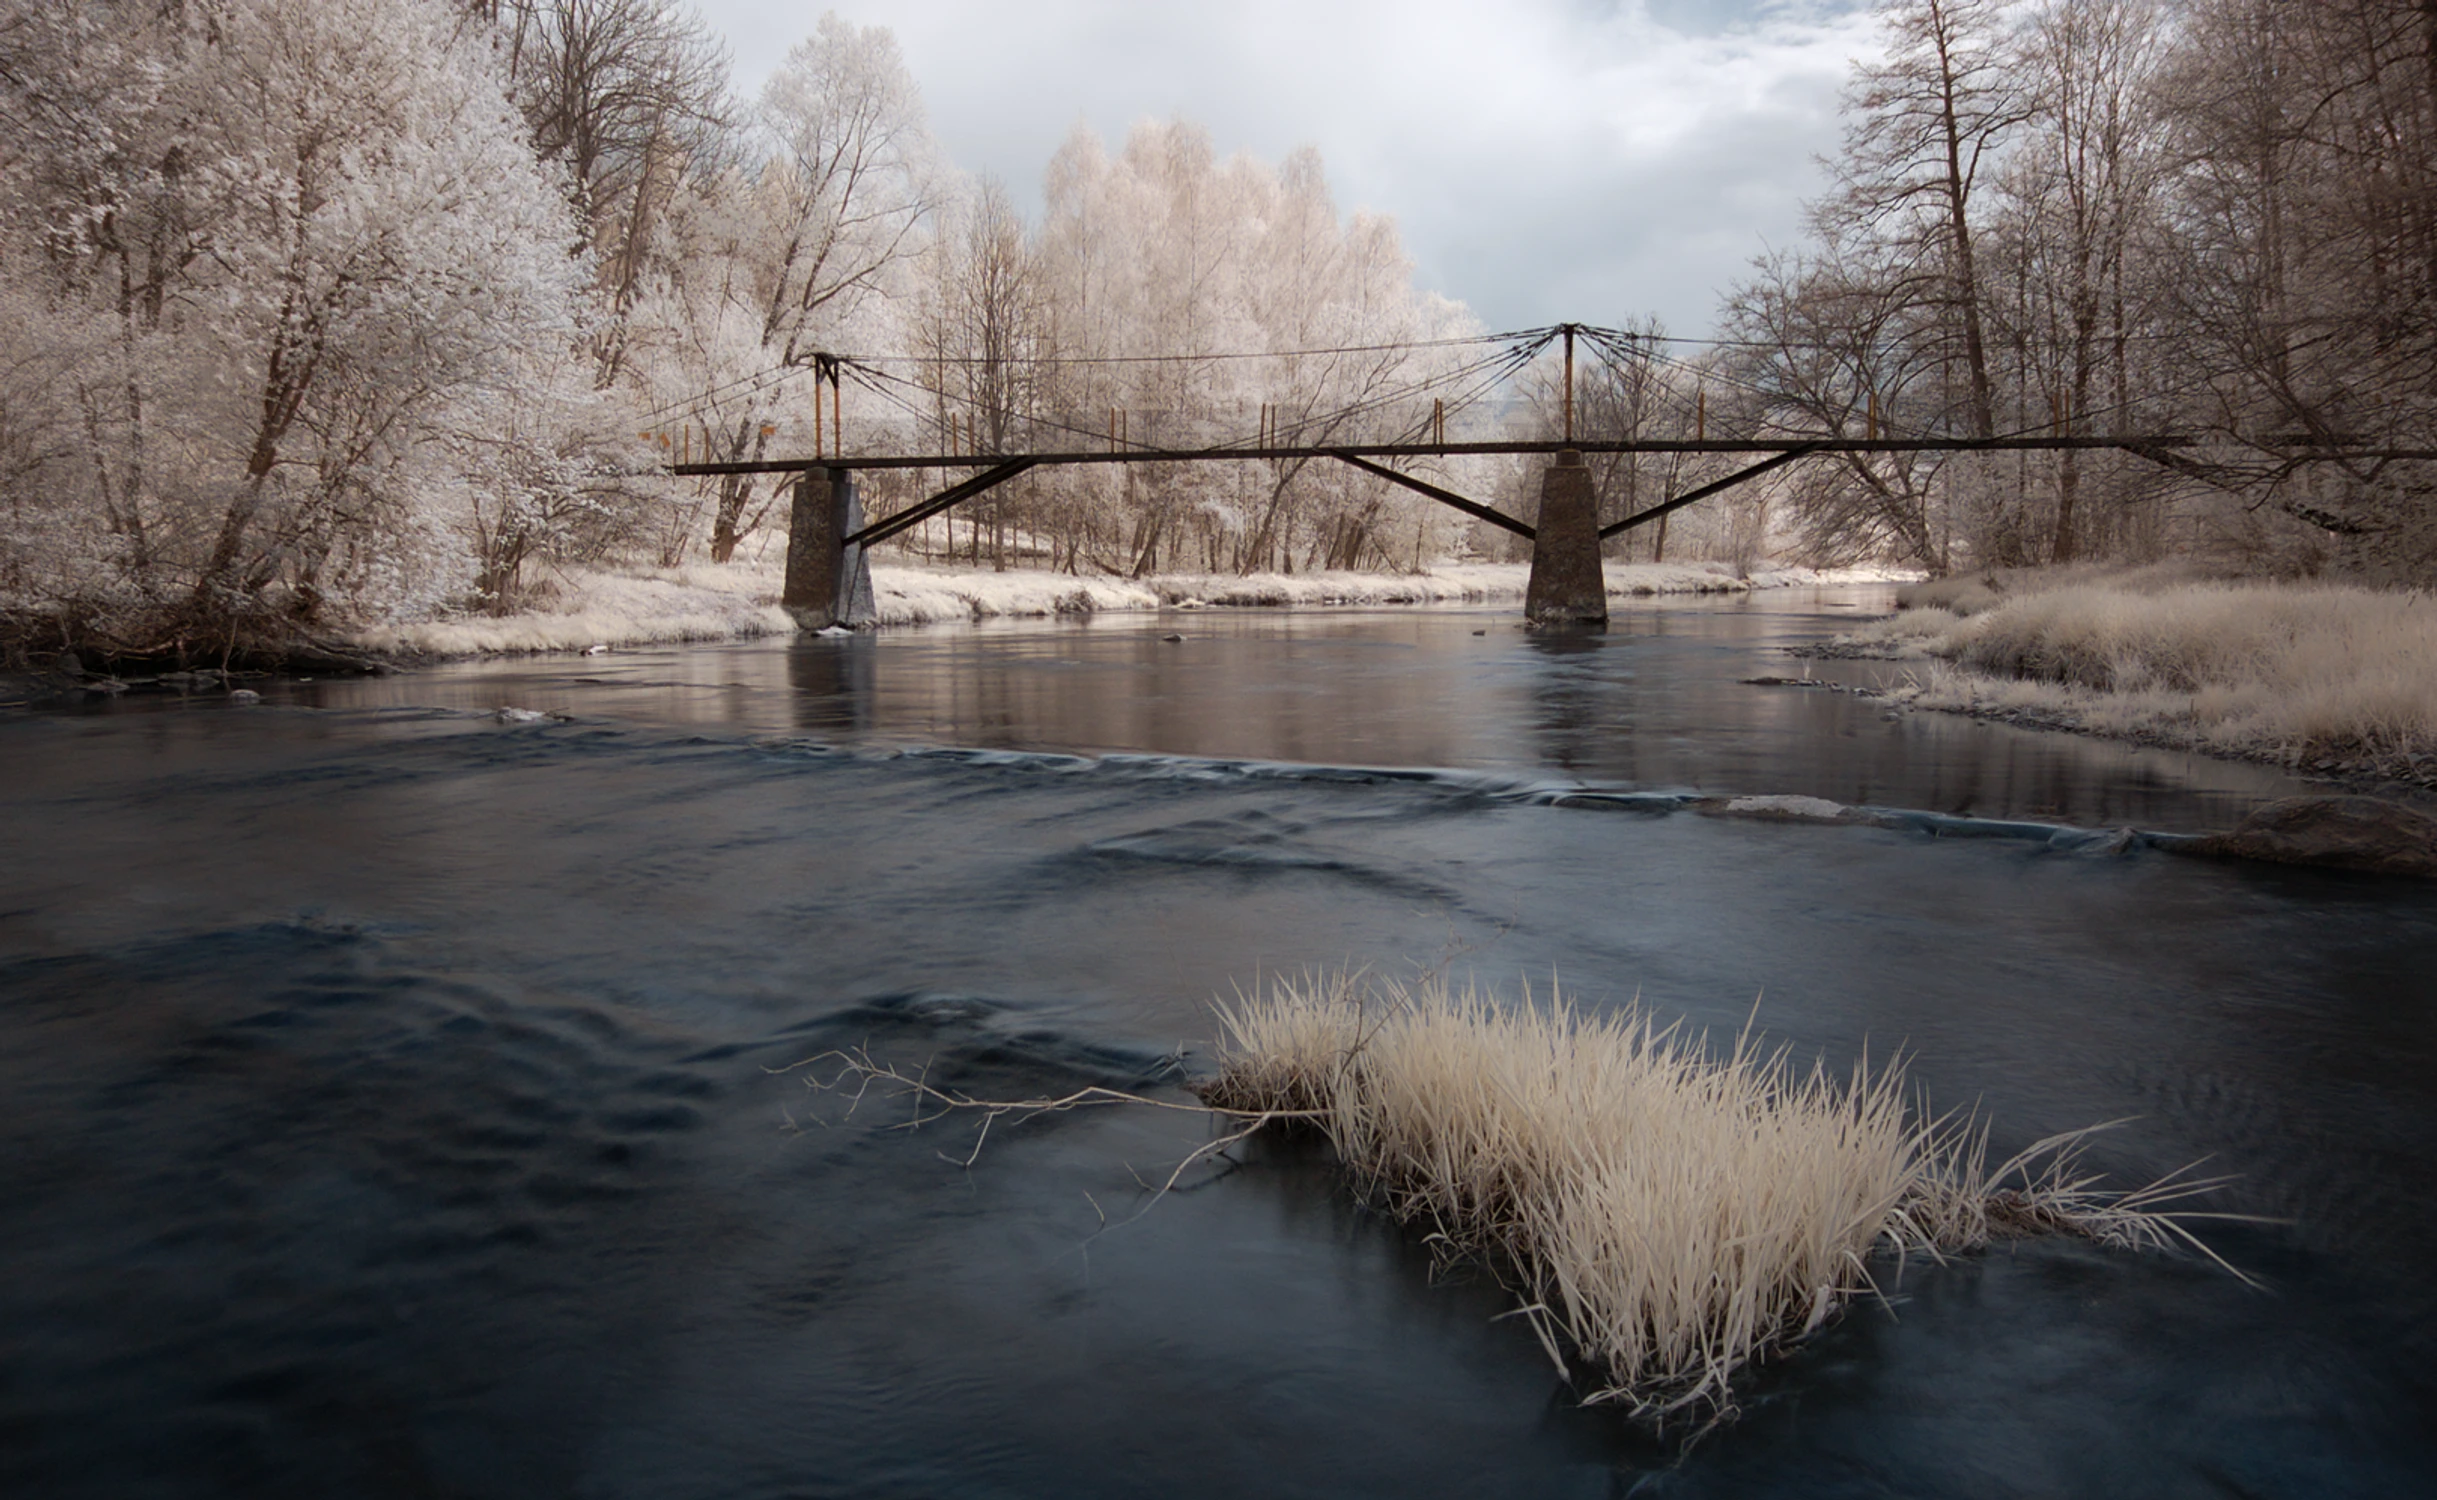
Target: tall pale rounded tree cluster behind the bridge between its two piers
{"type": "Point", "coordinates": [1203, 303]}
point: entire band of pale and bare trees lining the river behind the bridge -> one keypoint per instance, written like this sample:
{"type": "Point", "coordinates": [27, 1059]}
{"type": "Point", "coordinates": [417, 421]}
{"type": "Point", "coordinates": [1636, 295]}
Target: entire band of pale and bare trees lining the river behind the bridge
{"type": "Point", "coordinates": [338, 310]}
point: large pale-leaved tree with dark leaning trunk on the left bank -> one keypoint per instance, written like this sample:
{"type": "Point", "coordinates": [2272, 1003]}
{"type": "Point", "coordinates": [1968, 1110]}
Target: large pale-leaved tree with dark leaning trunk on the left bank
{"type": "Point", "coordinates": [386, 250]}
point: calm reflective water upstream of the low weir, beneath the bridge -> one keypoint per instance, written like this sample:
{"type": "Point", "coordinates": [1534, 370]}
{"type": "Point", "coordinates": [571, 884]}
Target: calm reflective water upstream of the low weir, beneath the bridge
{"type": "Point", "coordinates": [1654, 703]}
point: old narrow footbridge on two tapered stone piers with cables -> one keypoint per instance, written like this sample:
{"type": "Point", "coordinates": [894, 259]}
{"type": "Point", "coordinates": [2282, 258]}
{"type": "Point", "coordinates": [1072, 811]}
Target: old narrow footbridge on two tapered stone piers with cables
{"type": "Point", "coordinates": [830, 534]}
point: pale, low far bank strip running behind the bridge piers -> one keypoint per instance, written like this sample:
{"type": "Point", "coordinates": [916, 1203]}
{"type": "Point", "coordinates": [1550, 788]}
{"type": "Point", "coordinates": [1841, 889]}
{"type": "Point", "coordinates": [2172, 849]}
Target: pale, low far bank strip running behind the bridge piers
{"type": "Point", "coordinates": [635, 608]}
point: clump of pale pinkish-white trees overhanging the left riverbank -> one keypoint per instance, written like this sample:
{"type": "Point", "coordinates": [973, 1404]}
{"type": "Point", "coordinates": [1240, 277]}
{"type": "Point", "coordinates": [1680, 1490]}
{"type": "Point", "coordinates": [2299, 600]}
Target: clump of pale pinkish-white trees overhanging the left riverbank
{"type": "Point", "coordinates": [323, 245]}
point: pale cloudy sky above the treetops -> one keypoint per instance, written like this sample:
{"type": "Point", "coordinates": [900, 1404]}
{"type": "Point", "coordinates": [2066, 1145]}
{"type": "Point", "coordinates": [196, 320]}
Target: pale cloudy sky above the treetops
{"type": "Point", "coordinates": [1546, 159]}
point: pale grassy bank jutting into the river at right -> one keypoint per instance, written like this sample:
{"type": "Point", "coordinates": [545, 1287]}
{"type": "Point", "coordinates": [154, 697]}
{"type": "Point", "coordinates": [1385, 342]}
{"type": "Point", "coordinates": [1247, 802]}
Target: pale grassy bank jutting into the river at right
{"type": "Point", "coordinates": [2309, 676]}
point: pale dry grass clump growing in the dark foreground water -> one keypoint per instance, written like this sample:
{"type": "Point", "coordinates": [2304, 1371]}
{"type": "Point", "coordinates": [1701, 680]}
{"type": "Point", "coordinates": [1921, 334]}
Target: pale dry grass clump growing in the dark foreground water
{"type": "Point", "coordinates": [1663, 1211]}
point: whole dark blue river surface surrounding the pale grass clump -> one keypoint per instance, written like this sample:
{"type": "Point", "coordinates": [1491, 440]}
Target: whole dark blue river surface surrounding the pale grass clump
{"type": "Point", "coordinates": [394, 1104]}
